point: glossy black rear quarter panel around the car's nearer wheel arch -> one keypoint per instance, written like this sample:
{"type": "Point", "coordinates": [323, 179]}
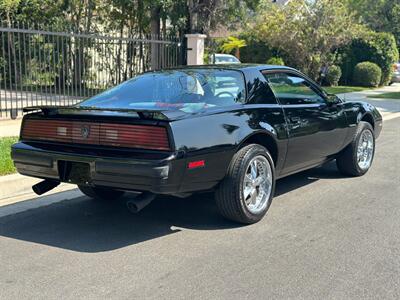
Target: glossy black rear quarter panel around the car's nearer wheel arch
{"type": "Point", "coordinates": [216, 137]}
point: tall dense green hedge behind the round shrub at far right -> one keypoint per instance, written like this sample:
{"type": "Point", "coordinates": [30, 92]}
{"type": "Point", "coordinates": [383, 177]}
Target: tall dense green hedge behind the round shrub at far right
{"type": "Point", "coordinates": [379, 48]}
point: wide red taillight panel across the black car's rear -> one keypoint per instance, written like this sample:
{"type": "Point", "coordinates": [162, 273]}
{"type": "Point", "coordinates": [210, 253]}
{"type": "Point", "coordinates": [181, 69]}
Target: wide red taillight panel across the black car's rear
{"type": "Point", "coordinates": [105, 134]}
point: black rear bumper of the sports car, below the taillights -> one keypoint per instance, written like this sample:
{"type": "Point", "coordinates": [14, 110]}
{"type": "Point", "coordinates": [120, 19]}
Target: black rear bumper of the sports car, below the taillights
{"type": "Point", "coordinates": [156, 176]}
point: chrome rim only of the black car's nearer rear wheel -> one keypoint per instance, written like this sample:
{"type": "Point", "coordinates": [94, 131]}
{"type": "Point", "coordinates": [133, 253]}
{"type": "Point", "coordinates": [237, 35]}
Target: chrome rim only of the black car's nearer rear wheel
{"type": "Point", "coordinates": [257, 184]}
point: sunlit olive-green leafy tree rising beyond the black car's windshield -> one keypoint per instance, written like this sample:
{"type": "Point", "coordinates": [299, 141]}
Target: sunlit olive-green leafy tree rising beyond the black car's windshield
{"type": "Point", "coordinates": [307, 32]}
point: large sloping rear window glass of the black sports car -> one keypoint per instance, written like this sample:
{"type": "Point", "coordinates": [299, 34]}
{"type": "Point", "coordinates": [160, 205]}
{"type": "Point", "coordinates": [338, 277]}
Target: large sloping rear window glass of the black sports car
{"type": "Point", "coordinates": [188, 90]}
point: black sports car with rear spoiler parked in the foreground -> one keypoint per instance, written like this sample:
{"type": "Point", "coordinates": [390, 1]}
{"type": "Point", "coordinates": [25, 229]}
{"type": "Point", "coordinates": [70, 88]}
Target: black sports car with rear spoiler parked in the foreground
{"type": "Point", "coordinates": [229, 129]}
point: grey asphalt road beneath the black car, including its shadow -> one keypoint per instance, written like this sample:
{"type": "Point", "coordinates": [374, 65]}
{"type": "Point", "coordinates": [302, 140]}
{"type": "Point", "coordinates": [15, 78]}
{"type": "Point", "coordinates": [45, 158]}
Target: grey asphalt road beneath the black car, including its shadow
{"type": "Point", "coordinates": [324, 237]}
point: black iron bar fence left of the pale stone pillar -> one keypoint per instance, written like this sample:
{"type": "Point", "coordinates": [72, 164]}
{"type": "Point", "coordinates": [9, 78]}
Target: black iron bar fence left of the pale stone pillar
{"type": "Point", "coordinates": [44, 67]}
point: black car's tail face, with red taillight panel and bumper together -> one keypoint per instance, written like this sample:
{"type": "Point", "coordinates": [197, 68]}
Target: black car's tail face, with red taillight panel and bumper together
{"type": "Point", "coordinates": [116, 151]}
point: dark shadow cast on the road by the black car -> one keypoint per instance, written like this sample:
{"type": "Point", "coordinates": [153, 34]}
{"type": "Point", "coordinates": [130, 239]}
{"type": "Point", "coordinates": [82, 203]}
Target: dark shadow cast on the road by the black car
{"type": "Point", "coordinates": [86, 225]}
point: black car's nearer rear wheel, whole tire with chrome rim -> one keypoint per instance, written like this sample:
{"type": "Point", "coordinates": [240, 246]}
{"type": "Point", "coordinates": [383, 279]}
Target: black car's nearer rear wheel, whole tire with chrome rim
{"type": "Point", "coordinates": [246, 192]}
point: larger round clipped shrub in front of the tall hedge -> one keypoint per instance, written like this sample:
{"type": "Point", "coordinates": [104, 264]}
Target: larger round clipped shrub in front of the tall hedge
{"type": "Point", "coordinates": [367, 74]}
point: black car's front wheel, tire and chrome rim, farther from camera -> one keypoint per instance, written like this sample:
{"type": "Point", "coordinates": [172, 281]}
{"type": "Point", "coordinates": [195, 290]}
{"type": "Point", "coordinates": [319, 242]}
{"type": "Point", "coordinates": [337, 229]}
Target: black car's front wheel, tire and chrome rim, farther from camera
{"type": "Point", "coordinates": [356, 158]}
